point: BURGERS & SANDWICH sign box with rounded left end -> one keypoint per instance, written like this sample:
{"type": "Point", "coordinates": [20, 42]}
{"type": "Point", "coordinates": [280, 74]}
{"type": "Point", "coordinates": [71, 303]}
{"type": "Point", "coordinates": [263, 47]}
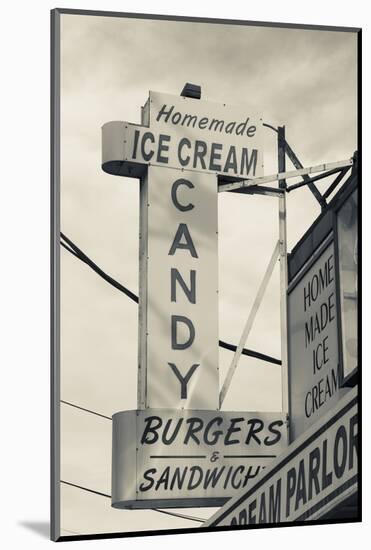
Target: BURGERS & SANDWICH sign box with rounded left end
{"type": "Point", "coordinates": [190, 458]}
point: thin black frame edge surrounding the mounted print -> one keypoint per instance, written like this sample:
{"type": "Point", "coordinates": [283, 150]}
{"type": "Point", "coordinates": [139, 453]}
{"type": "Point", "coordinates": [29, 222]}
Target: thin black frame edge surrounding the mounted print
{"type": "Point", "coordinates": [55, 260]}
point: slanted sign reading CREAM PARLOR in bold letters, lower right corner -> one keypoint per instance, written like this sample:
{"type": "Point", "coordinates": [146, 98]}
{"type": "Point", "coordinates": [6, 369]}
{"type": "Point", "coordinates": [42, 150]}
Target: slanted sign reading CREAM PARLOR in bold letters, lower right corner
{"type": "Point", "coordinates": [318, 471]}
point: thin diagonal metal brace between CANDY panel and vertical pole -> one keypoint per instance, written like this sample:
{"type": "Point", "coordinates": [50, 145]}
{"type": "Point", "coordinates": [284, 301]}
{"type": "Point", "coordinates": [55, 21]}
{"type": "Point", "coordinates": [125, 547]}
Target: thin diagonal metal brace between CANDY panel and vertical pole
{"type": "Point", "coordinates": [248, 326]}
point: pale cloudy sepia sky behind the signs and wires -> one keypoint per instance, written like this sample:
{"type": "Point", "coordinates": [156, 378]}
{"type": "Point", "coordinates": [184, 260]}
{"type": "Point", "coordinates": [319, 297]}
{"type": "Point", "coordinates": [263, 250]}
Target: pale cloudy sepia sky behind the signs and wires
{"type": "Point", "coordinates": [303, 79]}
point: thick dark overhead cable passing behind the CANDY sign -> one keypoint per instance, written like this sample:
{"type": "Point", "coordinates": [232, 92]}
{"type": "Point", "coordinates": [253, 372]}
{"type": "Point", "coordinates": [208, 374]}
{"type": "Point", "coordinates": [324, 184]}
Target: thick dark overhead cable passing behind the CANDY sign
{"type": "Point", "coordinates": [71, 247]}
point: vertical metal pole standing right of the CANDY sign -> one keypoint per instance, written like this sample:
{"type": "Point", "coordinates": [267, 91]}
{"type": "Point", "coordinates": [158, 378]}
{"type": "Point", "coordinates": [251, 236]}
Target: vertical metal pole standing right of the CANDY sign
{"type": "Point", "coordinates": [282, 223]}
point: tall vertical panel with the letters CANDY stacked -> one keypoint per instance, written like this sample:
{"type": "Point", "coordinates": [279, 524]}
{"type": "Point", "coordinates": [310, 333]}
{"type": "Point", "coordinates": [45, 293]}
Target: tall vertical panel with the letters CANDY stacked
{"type": "Point", "coordinates": [179, 290]}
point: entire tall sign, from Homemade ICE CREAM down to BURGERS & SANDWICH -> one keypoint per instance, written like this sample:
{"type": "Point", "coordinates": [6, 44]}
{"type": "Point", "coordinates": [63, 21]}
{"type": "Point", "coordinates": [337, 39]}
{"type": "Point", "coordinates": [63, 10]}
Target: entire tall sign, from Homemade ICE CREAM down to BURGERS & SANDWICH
{"type": "Point", "coordinates": [203, 456]}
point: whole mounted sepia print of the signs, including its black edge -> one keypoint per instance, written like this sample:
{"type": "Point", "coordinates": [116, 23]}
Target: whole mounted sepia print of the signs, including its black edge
{"type": "Point", "coordinates": [205, 350]}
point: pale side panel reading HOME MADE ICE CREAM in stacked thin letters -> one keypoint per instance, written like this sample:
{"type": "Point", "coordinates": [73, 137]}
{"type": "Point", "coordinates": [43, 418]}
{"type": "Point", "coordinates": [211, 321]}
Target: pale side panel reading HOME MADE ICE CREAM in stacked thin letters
{"type": "Point", "coordinates": [313, 347]}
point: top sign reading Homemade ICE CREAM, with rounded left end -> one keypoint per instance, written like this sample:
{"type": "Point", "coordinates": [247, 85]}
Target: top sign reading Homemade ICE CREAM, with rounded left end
{"type": "Point", "coordinates": [188, 134]}
